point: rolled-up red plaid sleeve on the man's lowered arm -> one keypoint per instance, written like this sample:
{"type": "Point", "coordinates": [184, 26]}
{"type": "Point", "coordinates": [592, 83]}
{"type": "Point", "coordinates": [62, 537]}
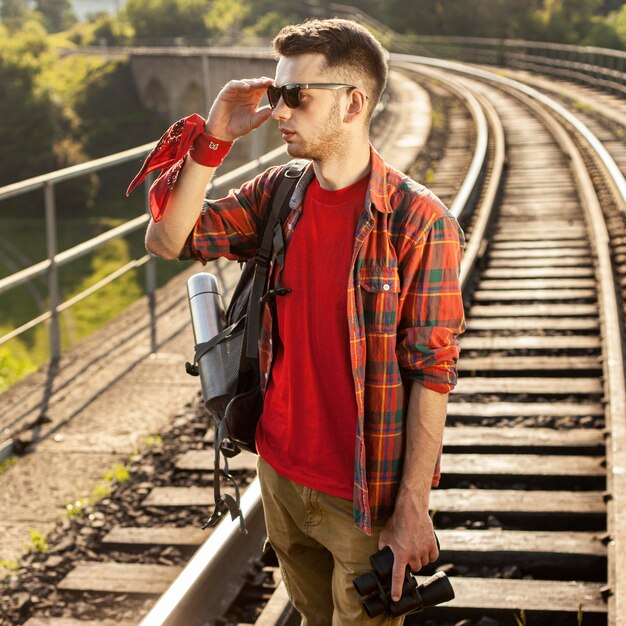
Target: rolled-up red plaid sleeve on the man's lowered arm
{"type": "Point", "coordinates": [431, 310]}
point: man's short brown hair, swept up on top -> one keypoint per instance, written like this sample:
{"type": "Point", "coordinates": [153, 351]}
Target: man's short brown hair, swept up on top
{"type": "Point", "coordinates": [346, 45]}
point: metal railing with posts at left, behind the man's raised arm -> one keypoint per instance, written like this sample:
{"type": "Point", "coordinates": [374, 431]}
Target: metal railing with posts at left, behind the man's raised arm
{"type": "Point", "coordinates": [55, 259]}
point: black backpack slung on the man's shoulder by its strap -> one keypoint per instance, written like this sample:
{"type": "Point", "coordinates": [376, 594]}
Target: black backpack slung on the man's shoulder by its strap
{"type": "Point", "coordinates": [236, 419]}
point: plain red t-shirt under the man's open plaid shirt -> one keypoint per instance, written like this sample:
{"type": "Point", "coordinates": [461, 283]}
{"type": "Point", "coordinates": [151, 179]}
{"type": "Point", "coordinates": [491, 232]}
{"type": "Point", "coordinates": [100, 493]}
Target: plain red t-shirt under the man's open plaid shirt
{"type": "Point", "coordinates": [308, 427]}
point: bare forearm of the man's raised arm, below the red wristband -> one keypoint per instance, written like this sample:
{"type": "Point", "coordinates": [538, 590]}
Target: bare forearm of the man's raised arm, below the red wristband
{"type": "Point", "coordinates": [167, 237]}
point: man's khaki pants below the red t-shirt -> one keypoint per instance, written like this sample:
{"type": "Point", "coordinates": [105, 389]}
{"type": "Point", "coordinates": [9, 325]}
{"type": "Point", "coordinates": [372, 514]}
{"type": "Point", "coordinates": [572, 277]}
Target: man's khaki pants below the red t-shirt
{"type": "Point", "coordinates": [319, 550]}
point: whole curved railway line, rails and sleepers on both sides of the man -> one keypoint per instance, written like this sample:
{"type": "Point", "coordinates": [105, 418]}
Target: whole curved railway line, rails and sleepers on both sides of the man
{"type": "Point", "coordinates": [531, 512]}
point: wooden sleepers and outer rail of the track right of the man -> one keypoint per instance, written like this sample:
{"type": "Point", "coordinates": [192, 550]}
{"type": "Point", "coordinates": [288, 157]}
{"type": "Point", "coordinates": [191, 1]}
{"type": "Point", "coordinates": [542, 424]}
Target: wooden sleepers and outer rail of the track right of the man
{"type": "Point", "coordinates": [525, 495]}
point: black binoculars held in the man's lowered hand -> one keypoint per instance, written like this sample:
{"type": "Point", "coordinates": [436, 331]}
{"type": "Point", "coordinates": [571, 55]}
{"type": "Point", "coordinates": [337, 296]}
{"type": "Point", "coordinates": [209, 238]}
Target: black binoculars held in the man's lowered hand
{"type": "Point", "coordinates": [375, 587]}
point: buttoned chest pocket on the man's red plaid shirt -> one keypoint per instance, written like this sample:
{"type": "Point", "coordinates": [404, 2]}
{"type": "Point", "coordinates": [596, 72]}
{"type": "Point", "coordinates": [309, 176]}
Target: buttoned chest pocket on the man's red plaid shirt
{"type": "Point", "coordinates": [380, 287]}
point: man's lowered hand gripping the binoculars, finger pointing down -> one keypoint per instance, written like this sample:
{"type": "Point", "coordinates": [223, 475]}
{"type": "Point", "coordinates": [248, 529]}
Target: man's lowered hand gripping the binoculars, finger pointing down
{"type": "Point", "coordinates": [410, 535]}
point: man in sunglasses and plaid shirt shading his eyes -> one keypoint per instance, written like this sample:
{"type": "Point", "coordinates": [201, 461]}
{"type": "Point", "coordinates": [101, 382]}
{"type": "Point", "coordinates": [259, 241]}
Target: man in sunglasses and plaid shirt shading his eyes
{"type": "Point", "coordinates": [365, 348]}
